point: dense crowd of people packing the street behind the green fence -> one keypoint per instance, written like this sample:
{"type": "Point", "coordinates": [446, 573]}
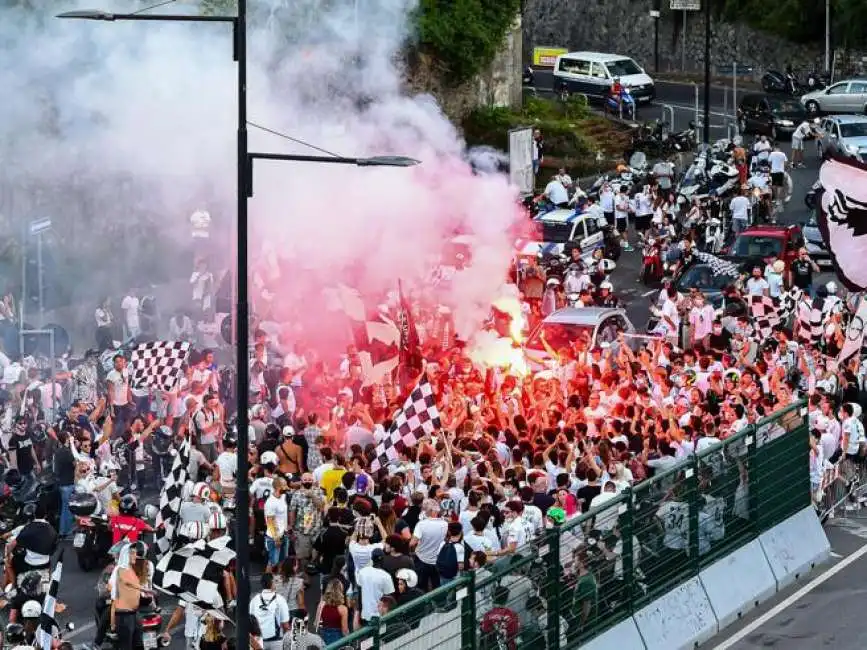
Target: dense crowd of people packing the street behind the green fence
{"type": "Point", "coordinates": [344, 540]}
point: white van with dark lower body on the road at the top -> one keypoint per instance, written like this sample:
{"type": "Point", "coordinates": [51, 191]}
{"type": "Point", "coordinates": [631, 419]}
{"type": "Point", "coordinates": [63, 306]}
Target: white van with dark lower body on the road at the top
{"type": "Point", "coordinates": [592, 73]}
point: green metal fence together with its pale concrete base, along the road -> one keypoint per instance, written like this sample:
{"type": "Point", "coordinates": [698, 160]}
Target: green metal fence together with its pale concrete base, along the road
{"type": "Point", "coordinates": [666, 564]}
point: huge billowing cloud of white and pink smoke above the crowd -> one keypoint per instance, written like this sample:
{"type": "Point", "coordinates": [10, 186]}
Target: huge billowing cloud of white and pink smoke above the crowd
{"type": "Point", "coordinates": [126, 128]}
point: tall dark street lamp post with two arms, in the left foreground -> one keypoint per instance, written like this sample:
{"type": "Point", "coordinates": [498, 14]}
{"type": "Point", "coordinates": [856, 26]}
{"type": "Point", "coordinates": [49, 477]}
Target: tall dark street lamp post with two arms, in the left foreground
{"type": "Point", "coordinates": [242, 310]}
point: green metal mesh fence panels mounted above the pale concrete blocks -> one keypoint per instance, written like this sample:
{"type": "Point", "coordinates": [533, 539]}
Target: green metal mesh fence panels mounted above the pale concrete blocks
{"type": "Point", "coordinates": [596, 570]}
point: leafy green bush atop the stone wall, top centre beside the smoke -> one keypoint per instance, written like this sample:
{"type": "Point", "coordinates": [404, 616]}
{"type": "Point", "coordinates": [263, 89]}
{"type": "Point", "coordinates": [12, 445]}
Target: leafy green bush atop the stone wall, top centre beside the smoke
{"type": "Point", "coordinates": [464, 35]}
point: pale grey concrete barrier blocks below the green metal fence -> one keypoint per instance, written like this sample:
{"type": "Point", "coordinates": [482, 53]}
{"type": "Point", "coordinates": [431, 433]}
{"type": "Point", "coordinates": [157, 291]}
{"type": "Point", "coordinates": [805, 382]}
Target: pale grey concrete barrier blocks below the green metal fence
{"type": "Point", "coordinates": [726, 590]}
